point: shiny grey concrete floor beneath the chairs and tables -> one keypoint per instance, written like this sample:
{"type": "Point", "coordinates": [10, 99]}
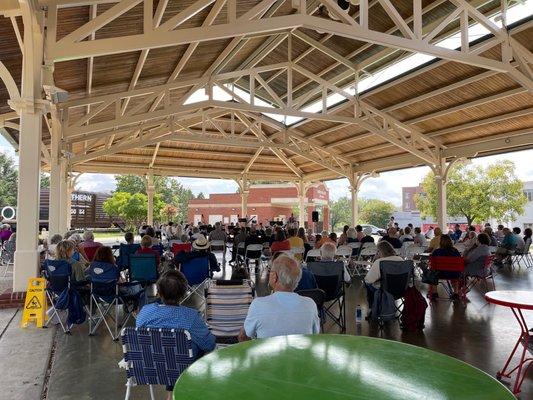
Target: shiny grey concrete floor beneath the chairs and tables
{"type": "Point", "coordinates": [86, 367]}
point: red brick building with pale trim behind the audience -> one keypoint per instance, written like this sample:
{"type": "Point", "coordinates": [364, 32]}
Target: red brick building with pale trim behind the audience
{"type": "Point", "coordinates": [265, 202]}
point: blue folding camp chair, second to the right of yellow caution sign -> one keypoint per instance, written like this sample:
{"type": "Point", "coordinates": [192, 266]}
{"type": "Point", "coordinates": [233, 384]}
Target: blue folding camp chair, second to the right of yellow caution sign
{"type": "Point", "coordinates": [106, 296]}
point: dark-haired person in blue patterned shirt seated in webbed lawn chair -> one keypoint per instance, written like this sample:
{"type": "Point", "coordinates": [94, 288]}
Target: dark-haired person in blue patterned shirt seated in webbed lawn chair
{"type": "Point", "coordinates": [167, 313]}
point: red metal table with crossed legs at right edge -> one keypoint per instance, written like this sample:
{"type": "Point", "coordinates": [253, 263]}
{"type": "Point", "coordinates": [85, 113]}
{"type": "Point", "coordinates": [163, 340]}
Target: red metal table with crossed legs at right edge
{"type": "Point", "coordinates": [517, 301]}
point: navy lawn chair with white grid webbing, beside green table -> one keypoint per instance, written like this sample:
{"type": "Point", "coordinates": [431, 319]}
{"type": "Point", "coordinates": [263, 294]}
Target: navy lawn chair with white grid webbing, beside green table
{"type": "Point", "coordinates": [155, 356]}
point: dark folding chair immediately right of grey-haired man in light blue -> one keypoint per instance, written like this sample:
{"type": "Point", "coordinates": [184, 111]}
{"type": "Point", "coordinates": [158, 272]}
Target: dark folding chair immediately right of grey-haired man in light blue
{"type": "Point", "coordinates": [329, 277]}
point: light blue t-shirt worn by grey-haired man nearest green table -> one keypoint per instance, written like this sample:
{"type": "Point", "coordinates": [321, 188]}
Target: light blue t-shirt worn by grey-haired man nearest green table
{"type": "Point", "coordinates": [281, 313]}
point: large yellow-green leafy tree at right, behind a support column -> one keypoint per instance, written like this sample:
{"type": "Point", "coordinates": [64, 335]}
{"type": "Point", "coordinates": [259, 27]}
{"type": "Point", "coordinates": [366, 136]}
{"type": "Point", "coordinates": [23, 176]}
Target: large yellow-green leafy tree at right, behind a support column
{"type": "Point", "coordinates": [478, 193]}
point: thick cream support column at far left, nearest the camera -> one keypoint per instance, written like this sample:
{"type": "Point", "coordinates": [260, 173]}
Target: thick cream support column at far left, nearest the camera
{"type": "Point", "coordinates": [30, 110]}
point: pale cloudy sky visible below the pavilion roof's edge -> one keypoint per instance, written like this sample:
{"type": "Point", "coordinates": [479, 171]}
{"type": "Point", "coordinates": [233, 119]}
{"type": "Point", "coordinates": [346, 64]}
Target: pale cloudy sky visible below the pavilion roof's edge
{"type": "Point", "coordinates": [387, 187]}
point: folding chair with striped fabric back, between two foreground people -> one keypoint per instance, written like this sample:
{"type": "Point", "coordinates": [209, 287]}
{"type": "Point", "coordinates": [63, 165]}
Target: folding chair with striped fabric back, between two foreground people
{"type": "Point", "coordinates": [227, 304]}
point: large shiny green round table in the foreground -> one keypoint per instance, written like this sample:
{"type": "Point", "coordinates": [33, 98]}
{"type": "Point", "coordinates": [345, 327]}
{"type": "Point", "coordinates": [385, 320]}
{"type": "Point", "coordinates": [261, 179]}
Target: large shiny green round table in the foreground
{"type": "Point", "coordinates": [333, 367]}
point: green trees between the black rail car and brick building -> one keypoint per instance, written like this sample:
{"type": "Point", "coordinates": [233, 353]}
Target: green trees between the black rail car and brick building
{"type": "Point", "coordinates": [169, 190]}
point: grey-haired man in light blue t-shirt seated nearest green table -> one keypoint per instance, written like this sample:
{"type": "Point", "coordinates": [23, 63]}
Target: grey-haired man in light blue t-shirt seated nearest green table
{"type": "Point", "coordinates": [283, 312]}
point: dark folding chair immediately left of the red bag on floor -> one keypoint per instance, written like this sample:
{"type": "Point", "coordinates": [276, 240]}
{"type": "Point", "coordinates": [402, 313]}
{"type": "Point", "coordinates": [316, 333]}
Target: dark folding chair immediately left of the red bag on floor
{"type": "Point", "coordinates": [396, 277]}
